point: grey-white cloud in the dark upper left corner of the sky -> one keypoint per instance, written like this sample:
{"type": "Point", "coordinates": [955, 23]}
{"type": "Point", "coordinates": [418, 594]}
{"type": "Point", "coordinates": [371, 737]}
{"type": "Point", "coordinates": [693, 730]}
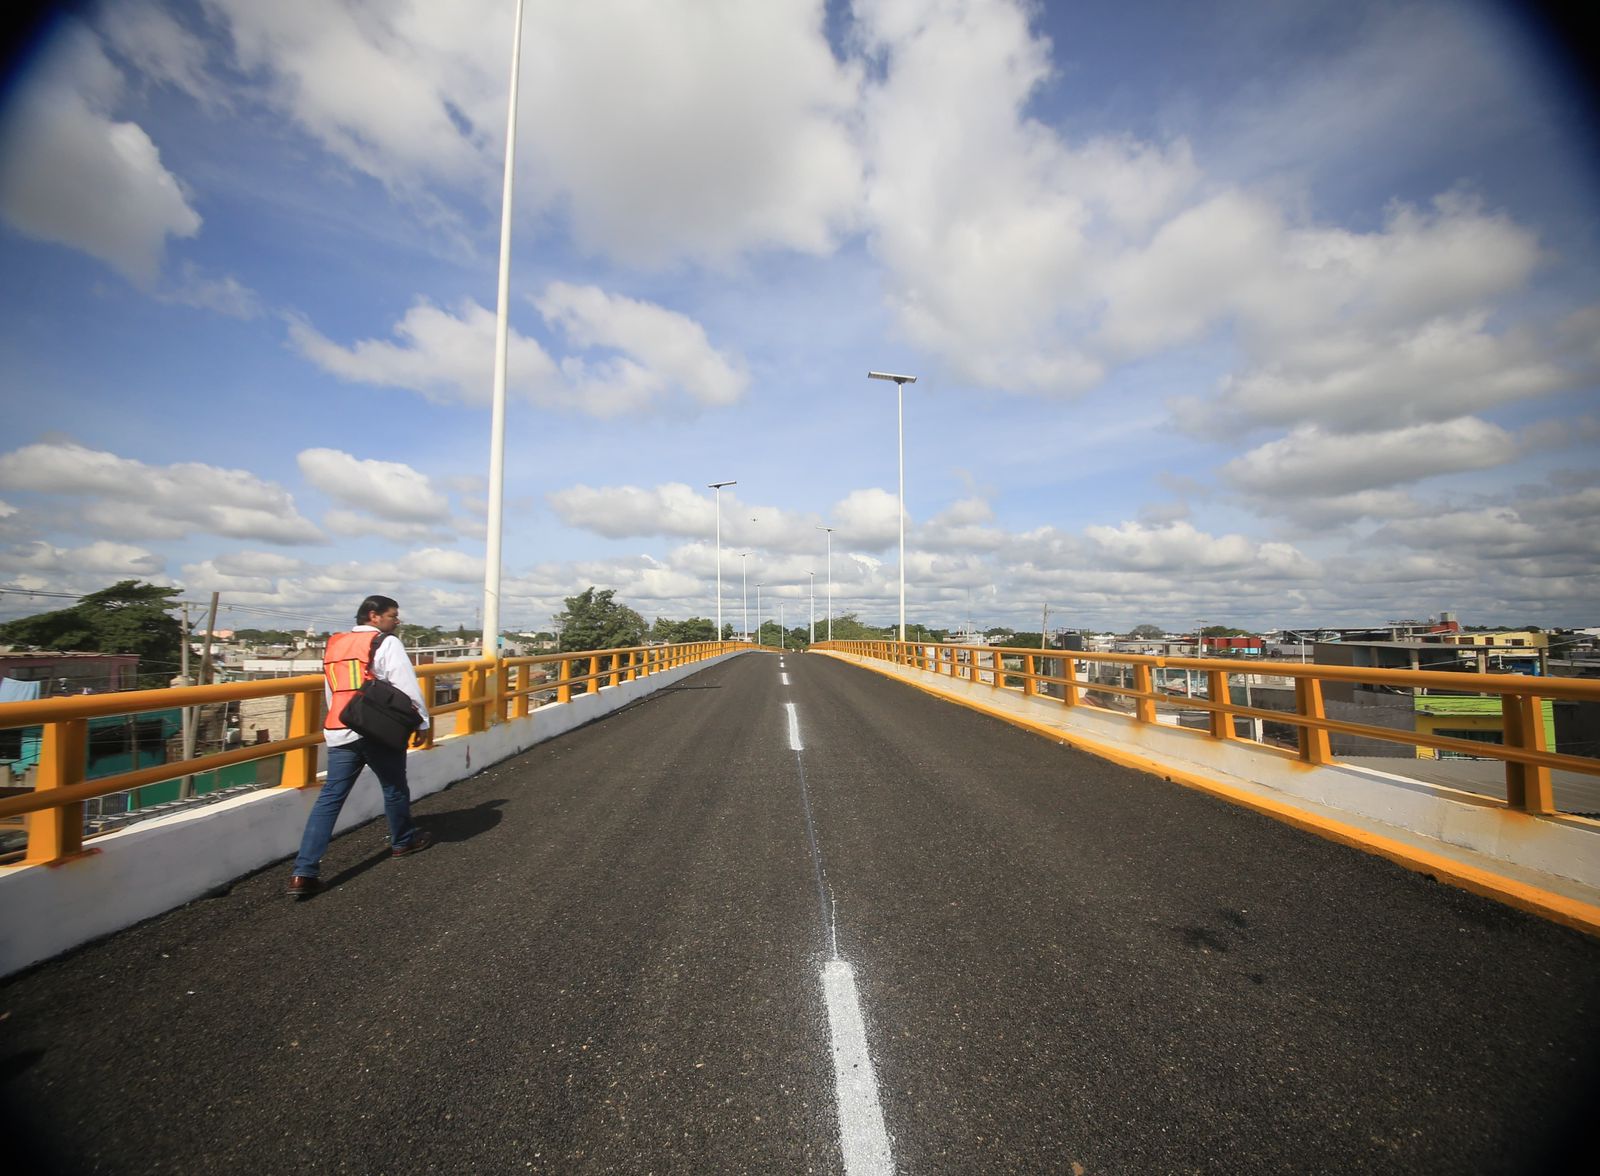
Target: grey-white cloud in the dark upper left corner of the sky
{"type": "Point", "coordinates": [89, 183]}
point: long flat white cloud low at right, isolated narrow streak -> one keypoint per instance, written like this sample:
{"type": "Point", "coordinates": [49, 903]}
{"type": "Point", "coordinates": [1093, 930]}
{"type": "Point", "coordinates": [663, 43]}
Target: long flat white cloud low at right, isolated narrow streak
{"type": "Point", "coordinates": [1313, 462]}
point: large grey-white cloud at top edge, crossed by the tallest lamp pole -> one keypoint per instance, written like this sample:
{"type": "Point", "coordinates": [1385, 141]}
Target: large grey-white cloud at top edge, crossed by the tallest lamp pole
{"type": "Point", "coordinates": [414, 94]}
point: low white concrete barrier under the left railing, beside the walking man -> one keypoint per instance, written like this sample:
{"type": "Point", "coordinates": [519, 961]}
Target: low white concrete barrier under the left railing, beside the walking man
{"type": "Point", "coordinates": [159, 865]}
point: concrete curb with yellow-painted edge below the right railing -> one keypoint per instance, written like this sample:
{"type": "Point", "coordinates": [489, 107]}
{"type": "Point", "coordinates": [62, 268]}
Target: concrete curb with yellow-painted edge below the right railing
{"type": "Point", "coordinates": [1548, 866]}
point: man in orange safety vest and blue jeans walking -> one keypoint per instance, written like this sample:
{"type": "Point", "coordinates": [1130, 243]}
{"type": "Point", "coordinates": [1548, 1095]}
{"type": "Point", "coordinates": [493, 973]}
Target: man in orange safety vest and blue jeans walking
{"type": "Point", "coordinates": [370, 646]}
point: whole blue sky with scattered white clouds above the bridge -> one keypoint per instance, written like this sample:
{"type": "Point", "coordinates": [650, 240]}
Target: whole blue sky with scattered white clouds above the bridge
{"type": "Point", "coordinates": [1241, 313]}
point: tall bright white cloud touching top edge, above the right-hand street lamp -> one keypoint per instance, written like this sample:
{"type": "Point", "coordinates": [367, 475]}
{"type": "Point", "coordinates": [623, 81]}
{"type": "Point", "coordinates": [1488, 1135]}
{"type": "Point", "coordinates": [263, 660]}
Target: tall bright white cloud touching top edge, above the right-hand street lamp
{"type": "Point", "coordinates": [988, 225]}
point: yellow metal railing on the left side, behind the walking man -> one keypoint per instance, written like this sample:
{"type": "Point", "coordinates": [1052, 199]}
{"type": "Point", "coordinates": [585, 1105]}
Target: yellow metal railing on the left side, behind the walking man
{"type": "Point", "coordinates": [492, 692]}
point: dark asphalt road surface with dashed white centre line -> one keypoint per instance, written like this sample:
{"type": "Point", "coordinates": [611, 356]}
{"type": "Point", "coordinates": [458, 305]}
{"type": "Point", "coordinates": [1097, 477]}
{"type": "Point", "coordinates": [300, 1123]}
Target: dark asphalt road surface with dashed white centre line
{"type": "Point", "coordinates": [790, 919]}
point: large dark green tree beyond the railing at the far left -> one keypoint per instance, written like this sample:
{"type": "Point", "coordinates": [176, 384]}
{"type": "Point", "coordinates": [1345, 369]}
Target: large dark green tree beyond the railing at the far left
{"type": "Point", "coordinates": [126, 618]}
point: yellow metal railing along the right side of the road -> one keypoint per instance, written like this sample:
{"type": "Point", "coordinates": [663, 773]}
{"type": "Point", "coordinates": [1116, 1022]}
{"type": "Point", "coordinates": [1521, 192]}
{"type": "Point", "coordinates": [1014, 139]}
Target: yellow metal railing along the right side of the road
{"type": "Point", "coordinates": [1526, 750]}
